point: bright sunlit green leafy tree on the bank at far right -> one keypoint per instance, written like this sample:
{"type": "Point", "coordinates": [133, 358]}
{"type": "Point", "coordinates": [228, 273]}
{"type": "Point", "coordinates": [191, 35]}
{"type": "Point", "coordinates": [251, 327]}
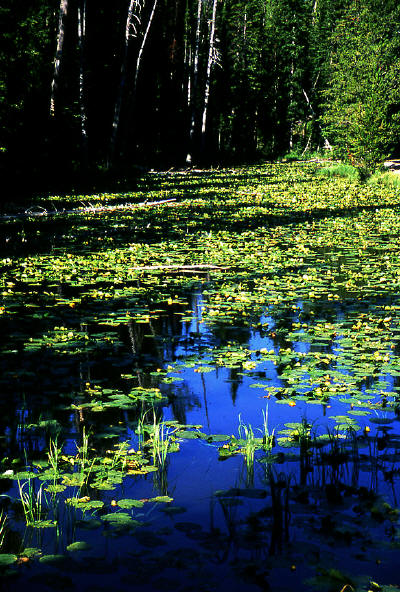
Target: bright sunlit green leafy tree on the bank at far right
{"type": "Point", "coordinates": [363, 94]}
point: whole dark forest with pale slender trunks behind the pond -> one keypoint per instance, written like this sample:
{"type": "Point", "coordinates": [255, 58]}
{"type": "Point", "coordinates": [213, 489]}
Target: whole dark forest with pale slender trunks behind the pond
{"type": "Point", "coordinates": [97, 90]}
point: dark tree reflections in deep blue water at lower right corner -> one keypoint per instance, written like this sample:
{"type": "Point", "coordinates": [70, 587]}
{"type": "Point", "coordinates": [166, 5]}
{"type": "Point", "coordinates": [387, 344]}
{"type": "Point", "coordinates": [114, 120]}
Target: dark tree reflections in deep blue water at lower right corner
{"type": "Point", "coordinates": [322, 508]}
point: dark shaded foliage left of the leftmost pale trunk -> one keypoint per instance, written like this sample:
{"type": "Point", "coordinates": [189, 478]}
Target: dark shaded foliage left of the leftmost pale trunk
{"type": "Point", "coordinates": [25, 66]}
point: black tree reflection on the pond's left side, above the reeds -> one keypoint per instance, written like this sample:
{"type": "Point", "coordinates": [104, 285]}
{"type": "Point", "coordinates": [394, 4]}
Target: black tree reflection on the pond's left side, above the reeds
{"type": "Point", "coordinates": [40, 384]}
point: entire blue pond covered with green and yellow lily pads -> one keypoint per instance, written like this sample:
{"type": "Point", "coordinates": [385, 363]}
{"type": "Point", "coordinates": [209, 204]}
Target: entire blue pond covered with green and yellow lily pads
{"type": "Point", "coordinates": [203, 394]}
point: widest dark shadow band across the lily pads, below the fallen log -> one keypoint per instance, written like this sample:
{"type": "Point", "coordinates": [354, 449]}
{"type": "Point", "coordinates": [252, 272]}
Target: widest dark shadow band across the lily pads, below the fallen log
{"type": "Point", "coordinates": [98, 232]}
